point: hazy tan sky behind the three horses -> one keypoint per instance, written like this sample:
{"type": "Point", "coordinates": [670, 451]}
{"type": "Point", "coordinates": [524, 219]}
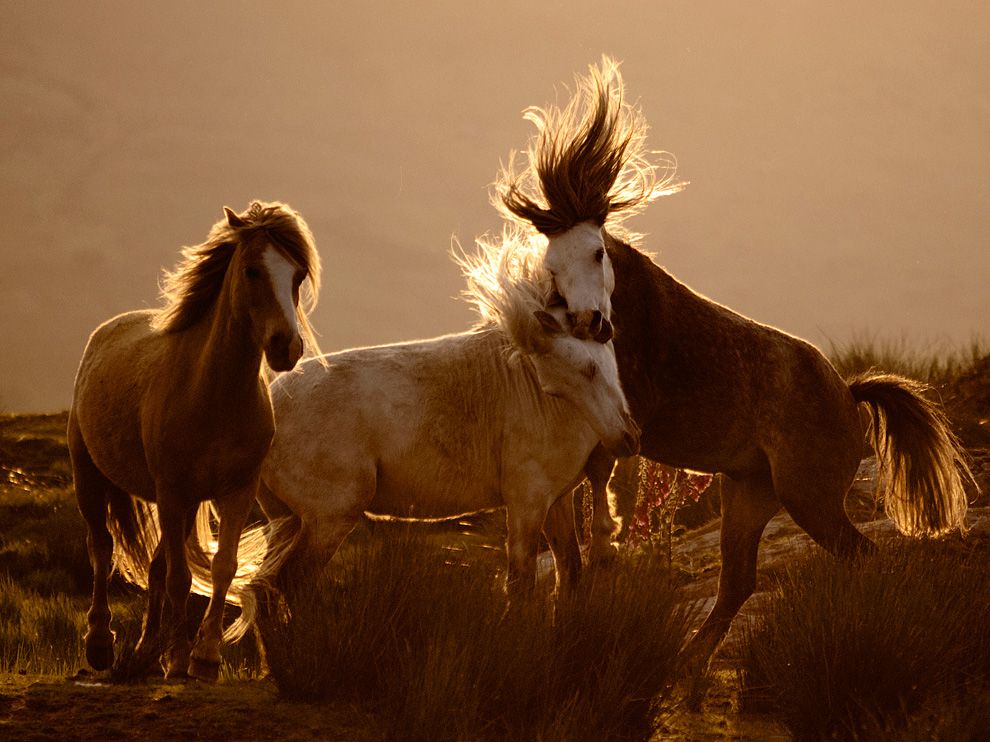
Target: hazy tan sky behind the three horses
{"type": "Point", "coordinates": [837, 153]}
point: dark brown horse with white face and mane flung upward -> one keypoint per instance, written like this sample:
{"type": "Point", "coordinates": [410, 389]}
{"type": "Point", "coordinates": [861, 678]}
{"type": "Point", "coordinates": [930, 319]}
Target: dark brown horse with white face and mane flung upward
{"type": "Point", "coordinates": [715, 391]}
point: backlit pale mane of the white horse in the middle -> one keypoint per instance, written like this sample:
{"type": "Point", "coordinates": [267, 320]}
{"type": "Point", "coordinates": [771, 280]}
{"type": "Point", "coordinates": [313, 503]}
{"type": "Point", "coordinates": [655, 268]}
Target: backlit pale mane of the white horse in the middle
{"type": "Point", "coordinates": [507, 283]}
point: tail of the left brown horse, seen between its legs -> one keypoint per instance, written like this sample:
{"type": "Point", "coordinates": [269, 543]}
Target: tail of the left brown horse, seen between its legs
{"type": "Point", "coordinates": [134, 525]}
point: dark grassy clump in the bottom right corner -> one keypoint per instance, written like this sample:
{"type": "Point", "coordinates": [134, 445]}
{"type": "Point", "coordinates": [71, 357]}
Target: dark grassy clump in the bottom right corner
{"type": "Point", "coordinates": [855, 650]}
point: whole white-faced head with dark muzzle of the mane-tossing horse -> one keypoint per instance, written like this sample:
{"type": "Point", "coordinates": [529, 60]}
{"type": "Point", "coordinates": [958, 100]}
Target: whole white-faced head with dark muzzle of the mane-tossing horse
{"type": "Point", "coordinates": [583, 280]}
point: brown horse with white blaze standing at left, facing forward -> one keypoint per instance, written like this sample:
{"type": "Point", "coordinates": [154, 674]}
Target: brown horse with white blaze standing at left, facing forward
{"type": "Point", "coordinates": [171, 407]}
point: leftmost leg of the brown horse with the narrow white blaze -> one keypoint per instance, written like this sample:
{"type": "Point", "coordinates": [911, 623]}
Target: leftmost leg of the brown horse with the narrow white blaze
{"type": "Point", "coordinates": [93, 491]}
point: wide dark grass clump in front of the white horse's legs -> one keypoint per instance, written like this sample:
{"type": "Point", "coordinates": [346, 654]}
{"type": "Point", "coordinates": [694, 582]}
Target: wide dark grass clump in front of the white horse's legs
{"type": "Point", "coordinates": [422, 635]}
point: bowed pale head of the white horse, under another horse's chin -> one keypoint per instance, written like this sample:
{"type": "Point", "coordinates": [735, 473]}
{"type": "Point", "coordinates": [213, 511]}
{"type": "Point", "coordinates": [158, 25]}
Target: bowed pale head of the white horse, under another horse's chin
{"type": "Point", "coordinates": [585, 373]}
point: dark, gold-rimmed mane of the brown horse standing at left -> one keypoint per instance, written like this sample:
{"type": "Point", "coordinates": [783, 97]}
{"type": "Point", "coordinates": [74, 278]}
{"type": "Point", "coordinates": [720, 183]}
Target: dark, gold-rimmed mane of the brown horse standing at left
{"type": "Point", "coordinates": [191, 289]}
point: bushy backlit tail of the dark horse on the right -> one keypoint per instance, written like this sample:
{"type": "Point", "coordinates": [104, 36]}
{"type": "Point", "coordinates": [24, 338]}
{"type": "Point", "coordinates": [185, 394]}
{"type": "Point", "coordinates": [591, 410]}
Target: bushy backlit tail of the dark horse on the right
{"type": "Point", "coordinates": [920, 462]}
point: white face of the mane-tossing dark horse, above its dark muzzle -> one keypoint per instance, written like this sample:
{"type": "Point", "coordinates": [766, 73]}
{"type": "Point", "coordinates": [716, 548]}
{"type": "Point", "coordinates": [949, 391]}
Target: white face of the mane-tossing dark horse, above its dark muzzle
{"type": "Point", "coordinates": [581, 269]}
